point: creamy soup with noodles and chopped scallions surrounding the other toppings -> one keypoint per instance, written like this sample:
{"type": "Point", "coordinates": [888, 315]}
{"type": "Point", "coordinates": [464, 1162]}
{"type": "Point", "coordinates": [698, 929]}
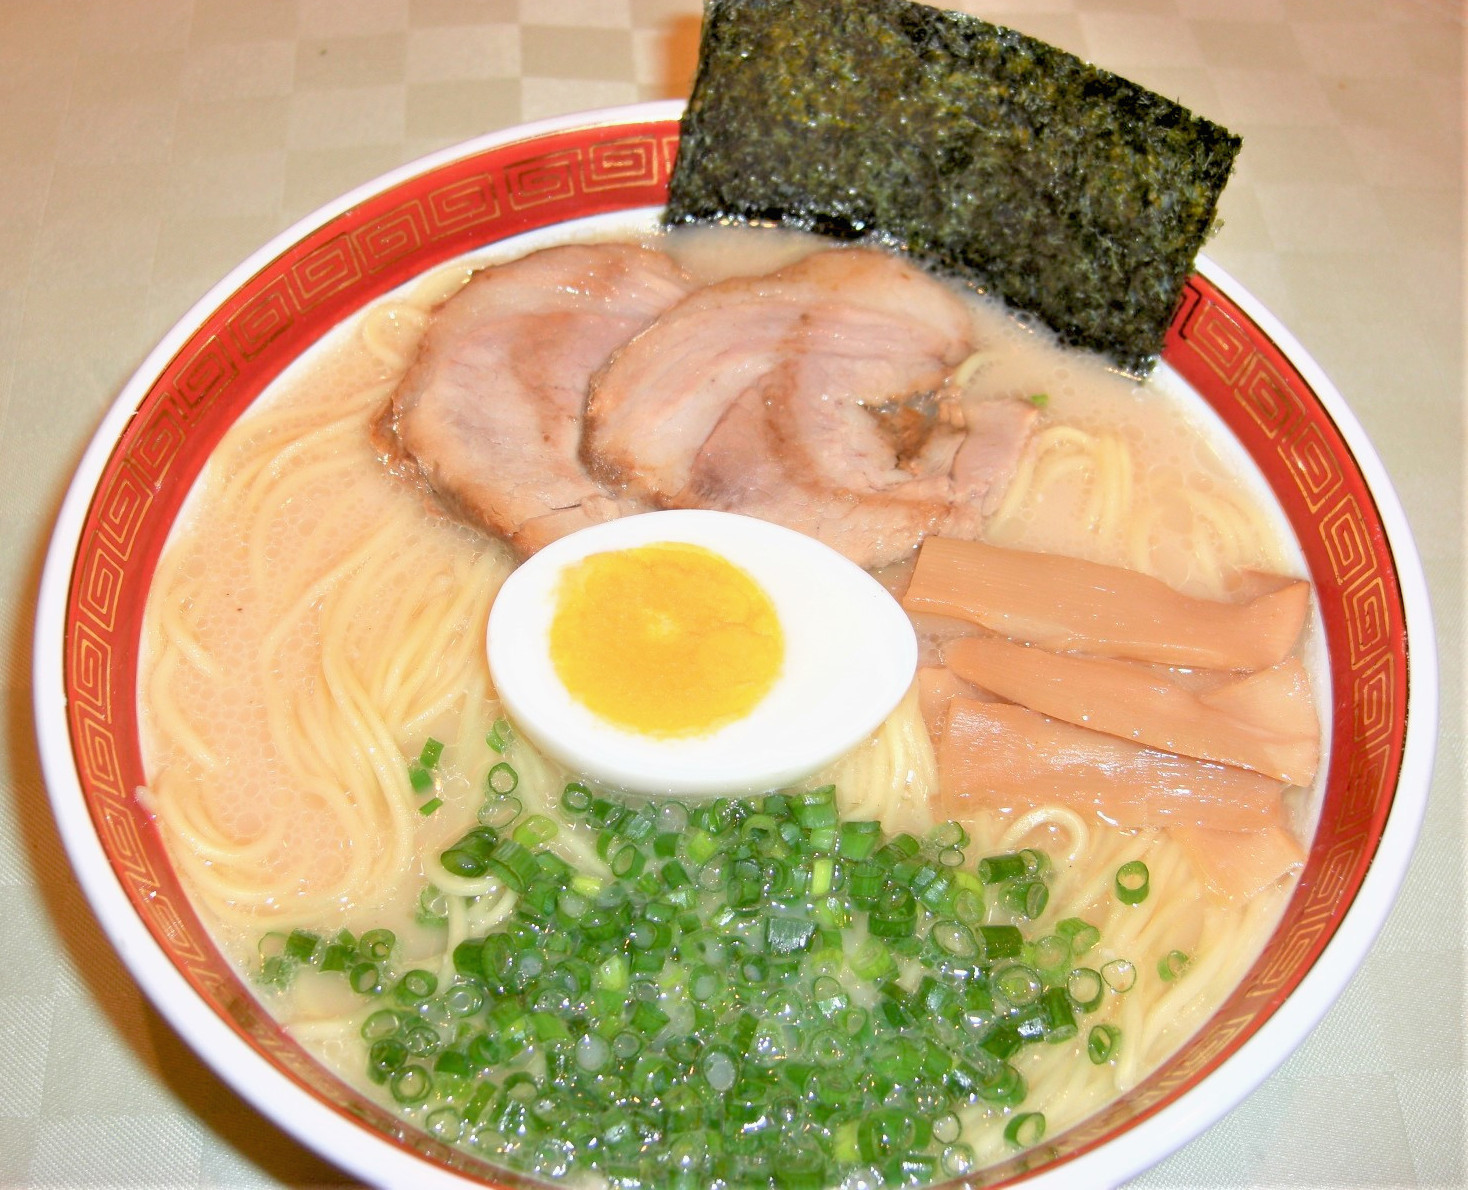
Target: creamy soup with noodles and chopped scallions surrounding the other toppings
{"type": "Point", "coordinates": [324, 740]}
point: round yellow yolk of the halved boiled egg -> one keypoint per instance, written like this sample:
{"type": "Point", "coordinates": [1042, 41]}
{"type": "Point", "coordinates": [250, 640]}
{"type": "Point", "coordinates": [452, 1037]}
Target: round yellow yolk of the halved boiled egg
{"type": "Point", "coordinates": [669, 640]}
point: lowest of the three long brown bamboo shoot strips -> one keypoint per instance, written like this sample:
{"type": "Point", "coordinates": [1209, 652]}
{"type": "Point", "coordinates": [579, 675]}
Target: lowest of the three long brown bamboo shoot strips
{"type": "Point", "coordinates": [1006, 756]}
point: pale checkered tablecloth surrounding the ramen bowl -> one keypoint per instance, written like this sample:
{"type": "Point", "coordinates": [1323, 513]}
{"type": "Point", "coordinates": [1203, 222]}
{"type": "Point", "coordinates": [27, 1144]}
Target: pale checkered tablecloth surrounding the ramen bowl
{"type": "Point", "coordinates": [148, 146]}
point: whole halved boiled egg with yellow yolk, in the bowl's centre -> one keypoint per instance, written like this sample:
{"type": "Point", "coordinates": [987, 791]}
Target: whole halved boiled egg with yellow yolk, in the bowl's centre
{"type": "Point", "coordinates": [695, 652]}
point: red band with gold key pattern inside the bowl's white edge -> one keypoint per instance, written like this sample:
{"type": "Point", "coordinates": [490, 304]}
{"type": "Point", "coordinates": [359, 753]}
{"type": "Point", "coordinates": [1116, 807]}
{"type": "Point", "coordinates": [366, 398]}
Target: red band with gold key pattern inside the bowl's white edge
{"type": "Point", "coordinates": [538, 181]}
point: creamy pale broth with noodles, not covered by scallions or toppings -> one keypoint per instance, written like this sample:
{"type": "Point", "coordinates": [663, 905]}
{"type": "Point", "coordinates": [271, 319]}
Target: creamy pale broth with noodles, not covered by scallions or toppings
{"type": "Point", "coordinates": [278, 767]}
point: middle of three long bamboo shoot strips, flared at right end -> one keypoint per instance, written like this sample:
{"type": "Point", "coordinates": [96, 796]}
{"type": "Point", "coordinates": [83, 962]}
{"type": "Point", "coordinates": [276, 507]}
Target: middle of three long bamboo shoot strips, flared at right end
{"type": "Point", "coordinates": [1263, 723]}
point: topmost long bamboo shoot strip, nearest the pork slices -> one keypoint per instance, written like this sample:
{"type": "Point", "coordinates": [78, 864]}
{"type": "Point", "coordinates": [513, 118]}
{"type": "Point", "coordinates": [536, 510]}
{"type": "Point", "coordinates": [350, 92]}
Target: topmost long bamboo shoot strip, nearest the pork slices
{"type": "Point", "coordinates": [1071, 604]}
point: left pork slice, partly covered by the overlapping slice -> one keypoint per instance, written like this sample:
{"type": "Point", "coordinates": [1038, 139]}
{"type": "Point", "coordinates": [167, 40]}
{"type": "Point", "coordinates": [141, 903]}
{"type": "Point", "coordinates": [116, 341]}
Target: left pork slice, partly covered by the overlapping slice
{"type": "Point", "coordinates": [491, 410]}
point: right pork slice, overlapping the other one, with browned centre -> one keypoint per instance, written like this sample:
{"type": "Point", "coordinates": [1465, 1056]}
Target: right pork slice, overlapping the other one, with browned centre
{"type": "Point", "coordinates": [814, 397]}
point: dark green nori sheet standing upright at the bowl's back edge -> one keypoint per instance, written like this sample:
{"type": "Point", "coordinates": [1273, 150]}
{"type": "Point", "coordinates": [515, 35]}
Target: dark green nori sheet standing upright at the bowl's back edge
{"type": "Point", "coordinates": [1068, 191]}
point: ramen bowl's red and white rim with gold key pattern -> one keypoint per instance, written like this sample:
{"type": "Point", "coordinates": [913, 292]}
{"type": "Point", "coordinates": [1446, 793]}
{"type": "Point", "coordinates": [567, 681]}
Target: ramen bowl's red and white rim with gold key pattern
{"type": "Point", "coordinates": [534, 184]}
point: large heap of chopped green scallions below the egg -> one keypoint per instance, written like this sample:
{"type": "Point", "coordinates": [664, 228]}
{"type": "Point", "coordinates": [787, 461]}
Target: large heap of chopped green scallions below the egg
{"type": "Point", "coordinates": [710, 988]}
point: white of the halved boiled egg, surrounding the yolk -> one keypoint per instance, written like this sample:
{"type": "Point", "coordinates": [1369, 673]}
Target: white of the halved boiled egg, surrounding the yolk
{"type": "Point", "coordinates": [851, 655]}
